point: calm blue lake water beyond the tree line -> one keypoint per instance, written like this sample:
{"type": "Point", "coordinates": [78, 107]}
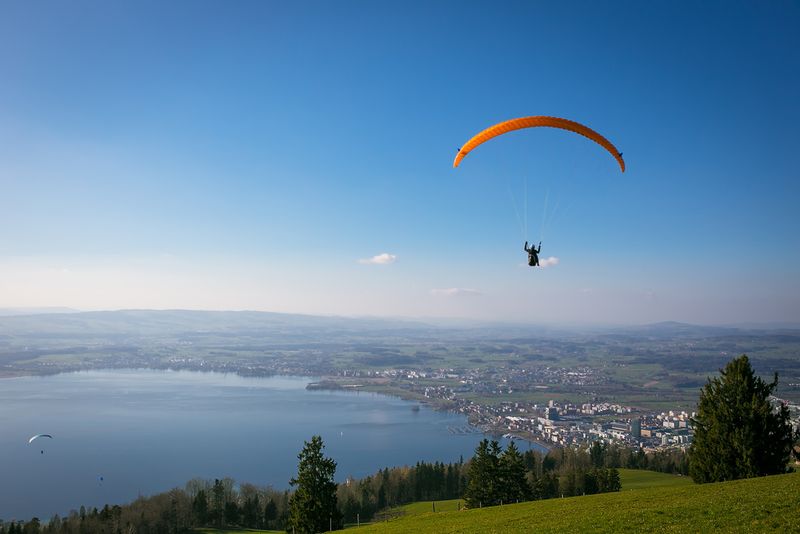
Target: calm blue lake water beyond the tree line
{"type": "Point", "coordinates": [146, 431]}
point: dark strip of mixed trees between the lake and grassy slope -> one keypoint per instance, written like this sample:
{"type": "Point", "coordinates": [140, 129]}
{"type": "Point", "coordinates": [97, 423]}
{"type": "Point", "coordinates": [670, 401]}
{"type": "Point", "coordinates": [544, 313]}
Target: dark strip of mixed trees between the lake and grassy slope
{"type": "Point", "coordinates": [222, 503]}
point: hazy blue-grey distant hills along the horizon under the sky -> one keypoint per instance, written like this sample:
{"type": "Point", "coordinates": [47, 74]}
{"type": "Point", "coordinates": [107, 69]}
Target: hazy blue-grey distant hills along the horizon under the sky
{"type": "Point", "coordinates": [43, 323]}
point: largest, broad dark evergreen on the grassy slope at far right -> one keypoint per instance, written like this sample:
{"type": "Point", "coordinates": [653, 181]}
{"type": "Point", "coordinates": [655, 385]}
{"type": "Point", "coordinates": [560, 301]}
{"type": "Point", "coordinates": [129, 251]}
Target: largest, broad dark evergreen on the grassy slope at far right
{"type": "Point", "coordinates": [737, 433]}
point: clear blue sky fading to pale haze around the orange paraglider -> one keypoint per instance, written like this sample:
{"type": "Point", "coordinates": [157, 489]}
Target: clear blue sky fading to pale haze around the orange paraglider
{"type": "Point", "coordinates": [297, 157]}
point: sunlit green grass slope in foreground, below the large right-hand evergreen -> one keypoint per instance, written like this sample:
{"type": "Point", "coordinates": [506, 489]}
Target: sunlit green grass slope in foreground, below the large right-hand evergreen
{"type": "Point", "coordinates": [769, 503]}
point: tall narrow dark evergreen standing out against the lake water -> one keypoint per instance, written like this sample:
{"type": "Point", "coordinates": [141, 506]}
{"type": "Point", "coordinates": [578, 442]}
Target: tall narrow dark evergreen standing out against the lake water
{"type": "Point", "coordinates": [312, 508]}
